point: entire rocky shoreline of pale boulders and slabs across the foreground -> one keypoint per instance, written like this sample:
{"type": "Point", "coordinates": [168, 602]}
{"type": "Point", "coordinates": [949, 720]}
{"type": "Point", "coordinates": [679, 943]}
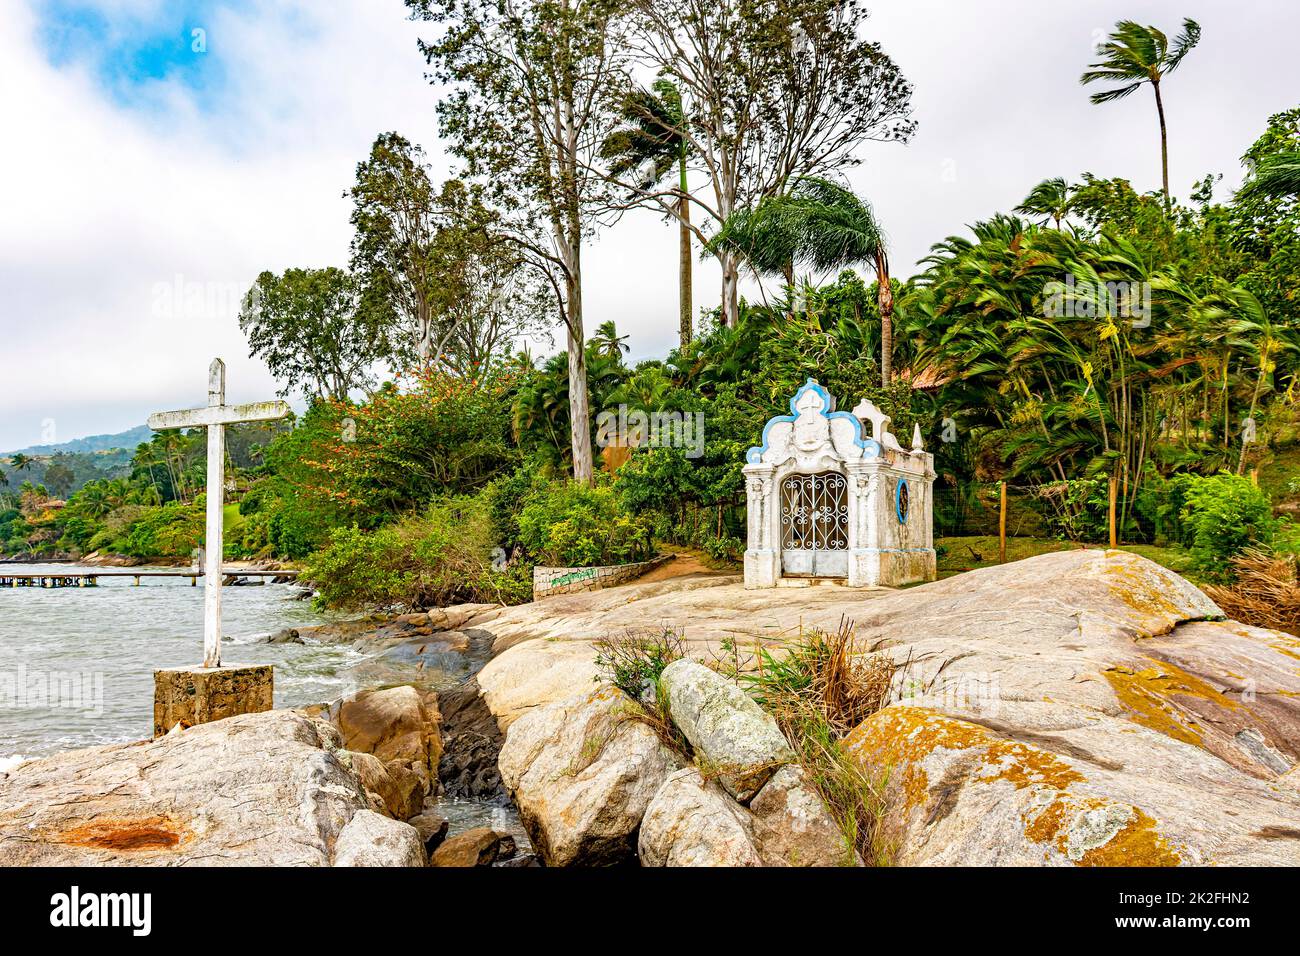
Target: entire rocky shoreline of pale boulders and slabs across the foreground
{"type": "Point", "coordinates": [1082, 708]}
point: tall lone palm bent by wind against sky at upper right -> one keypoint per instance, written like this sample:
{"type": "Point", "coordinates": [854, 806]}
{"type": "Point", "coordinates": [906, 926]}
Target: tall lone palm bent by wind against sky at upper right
{"type": "Point", "coordinates": [1136, 55]}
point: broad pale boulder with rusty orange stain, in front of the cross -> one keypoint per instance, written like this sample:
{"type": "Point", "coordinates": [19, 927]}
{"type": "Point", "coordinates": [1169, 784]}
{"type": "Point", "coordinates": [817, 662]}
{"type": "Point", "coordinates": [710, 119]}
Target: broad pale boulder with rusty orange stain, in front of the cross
{"type": "Point", "coordinates": [268, 790]}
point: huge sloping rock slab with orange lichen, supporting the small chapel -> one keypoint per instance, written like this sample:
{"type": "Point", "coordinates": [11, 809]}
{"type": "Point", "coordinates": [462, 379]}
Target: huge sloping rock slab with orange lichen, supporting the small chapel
{"type": "Point", "coordinates": [1099, 661]}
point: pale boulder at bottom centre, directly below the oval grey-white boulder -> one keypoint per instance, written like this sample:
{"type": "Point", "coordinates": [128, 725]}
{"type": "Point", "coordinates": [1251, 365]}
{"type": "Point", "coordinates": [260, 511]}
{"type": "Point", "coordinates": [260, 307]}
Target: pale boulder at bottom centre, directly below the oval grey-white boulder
{"type": "Point", "coordinates": [691, 823]}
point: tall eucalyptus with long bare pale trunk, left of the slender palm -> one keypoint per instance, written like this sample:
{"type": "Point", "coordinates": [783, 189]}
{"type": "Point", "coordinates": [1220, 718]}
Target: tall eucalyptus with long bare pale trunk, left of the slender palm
{"type": "Point", "coordinates": [534, 90]}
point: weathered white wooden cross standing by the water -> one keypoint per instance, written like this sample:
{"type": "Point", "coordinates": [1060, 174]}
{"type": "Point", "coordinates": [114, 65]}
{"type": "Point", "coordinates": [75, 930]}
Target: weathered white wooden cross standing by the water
{"type": "Point", "coordinates": [215, 418]}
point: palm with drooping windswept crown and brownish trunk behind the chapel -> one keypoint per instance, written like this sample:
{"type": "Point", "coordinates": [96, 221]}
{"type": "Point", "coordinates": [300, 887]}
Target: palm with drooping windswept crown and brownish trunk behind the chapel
{"type": "Point", "coordinates": [825, 227]}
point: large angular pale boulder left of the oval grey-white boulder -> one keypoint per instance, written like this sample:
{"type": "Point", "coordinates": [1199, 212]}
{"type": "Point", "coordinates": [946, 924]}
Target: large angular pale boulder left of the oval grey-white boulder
{"type": "Point", "coordinates": [583, 772]}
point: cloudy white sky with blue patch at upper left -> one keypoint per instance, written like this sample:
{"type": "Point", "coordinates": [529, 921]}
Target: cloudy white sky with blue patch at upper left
{"type": "Point", "coordinates": [146, 183]}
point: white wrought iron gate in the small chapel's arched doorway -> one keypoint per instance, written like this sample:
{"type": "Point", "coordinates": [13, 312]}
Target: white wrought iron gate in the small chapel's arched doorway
{"type": "Point", "coordinates": [816, 526]}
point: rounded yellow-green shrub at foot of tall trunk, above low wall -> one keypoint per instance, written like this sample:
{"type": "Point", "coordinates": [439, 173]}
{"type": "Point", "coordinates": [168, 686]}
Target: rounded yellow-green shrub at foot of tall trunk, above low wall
{"type": "Point", "coordinates": [571, 525]}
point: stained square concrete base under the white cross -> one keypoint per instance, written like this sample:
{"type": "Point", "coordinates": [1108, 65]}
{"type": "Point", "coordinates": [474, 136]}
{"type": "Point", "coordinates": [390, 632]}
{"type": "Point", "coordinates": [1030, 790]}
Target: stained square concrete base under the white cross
{"type": "Point", "coordinates": [198, 695]}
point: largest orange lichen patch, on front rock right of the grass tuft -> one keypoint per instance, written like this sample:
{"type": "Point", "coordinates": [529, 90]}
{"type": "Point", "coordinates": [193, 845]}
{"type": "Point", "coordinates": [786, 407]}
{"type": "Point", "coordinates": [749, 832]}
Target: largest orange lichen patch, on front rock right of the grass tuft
{"type": "Point", "coordinates": [908, 736]}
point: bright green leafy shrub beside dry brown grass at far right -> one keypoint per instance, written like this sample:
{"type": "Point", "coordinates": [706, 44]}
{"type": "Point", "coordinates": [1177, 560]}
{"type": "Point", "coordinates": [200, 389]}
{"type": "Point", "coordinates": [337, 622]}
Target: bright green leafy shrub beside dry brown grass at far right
{"type": "Point", "coordinates": [1221, 517]}
